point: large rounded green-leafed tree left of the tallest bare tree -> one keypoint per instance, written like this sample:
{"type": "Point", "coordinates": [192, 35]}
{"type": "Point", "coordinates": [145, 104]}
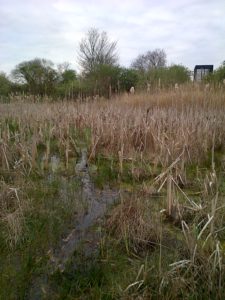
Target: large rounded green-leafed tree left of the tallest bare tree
{"type": "Point", "coordinates": [38, 74]}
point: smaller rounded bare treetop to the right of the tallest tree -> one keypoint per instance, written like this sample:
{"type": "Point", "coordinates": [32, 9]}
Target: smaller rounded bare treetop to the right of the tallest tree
{"type": "Point", "coordinates": [151, 59]}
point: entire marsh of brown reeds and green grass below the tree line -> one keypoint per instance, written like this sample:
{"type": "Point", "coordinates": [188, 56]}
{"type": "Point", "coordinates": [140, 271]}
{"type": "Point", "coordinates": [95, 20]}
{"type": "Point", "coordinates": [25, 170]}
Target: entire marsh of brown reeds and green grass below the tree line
{"type": "Point", "coordinates": [160, 156]}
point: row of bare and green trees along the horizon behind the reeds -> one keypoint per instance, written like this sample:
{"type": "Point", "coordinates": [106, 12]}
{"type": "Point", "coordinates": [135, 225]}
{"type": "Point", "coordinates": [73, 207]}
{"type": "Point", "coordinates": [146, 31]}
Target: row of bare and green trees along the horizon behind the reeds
{"type": "Point", "coordinates": [100, 74]}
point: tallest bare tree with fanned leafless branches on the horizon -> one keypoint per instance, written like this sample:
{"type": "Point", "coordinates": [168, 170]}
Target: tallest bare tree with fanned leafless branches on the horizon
{"type": "Point", "coordinates": [96, 49]}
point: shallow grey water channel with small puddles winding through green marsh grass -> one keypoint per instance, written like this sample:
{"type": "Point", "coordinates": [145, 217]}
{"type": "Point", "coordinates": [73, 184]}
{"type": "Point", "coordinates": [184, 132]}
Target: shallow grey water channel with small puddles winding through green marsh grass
{"type": "Point", "coordinates": [82, 236]}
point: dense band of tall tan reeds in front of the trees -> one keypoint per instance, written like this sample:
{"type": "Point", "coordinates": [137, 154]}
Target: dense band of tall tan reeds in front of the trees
{"type": "Point", "coordinates": [159, 127]}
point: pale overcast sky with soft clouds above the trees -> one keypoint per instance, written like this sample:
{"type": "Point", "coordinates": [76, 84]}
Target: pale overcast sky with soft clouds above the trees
{"type": "Point", "coordinates": [191, 32]}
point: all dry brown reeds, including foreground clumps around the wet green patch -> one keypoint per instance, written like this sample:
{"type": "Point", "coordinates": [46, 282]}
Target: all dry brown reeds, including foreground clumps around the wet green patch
{"type": "Point", "coordinates": [170, 141]}
